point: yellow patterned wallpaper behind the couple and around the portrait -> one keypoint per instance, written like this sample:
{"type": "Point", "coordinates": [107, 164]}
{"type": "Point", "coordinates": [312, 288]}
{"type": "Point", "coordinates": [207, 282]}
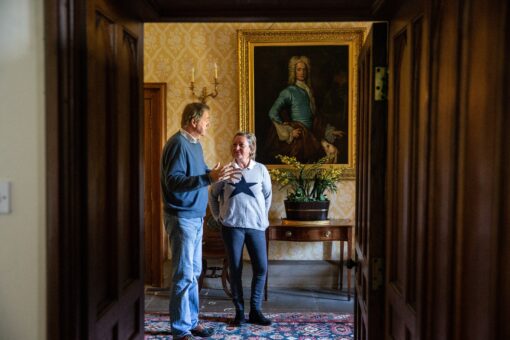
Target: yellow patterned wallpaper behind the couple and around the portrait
{"type": "Point", "coordinates": [172, 50]}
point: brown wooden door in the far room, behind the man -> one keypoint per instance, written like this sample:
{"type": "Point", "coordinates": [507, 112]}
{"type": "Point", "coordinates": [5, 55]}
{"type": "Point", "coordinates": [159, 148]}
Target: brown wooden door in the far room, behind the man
{"type": "Point", "coordinates": [154, 137]}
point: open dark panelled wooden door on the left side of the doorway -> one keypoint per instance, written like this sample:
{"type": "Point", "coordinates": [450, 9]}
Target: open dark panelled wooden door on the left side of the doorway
{"type": "Point", "coordinates": [114, 238]}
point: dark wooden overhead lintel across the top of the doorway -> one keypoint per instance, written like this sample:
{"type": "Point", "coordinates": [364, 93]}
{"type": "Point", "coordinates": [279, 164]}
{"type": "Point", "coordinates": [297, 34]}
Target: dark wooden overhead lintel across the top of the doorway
{"type": "Point", "coordinates": [259, 10]}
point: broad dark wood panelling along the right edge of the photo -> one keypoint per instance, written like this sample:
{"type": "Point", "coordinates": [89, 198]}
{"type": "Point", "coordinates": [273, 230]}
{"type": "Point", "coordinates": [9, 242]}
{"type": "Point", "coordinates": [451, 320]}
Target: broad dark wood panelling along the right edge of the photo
{"type": "Point", "coordinates": [481, 113]}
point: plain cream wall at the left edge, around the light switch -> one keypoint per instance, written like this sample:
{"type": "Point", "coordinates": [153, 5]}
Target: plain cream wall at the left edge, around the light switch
{"type": "Point", "coordinates": [22, 159]}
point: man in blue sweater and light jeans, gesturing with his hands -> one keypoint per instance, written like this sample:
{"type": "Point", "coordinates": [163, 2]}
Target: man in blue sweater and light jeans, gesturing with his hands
{"type": "Point", "coordinates": [184, 180]}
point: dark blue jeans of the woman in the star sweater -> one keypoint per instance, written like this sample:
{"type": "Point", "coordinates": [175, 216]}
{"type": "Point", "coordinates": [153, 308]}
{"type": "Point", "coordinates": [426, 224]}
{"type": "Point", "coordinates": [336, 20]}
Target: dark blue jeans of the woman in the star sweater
{"type": "Point", "coordinates": [255, 240]}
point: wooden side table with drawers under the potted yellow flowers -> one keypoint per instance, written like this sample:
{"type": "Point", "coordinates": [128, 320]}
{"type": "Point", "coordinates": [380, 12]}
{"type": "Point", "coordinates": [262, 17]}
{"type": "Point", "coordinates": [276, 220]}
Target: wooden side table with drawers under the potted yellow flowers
{"type": "Point", "coordinates": [315, 231]}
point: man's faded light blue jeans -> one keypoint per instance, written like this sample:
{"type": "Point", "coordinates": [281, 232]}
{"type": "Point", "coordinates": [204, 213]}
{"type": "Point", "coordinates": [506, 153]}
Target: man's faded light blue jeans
{"type": "Point", "coordinates": [185, 236]}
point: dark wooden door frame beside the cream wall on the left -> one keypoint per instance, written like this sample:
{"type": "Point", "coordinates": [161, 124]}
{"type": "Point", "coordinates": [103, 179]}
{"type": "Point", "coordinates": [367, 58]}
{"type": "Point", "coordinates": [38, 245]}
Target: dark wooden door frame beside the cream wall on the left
{"type": "Point", "coordinates": [65, 164]}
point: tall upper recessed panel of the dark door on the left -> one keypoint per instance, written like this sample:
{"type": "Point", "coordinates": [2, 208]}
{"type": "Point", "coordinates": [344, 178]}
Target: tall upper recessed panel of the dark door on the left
{"type": "Point", "coordinates": [128, 163]}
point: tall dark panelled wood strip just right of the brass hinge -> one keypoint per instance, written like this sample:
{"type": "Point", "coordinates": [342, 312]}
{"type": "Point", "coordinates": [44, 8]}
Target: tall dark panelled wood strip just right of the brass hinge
{"type": "Point", "coordinates": [408, 132]}
